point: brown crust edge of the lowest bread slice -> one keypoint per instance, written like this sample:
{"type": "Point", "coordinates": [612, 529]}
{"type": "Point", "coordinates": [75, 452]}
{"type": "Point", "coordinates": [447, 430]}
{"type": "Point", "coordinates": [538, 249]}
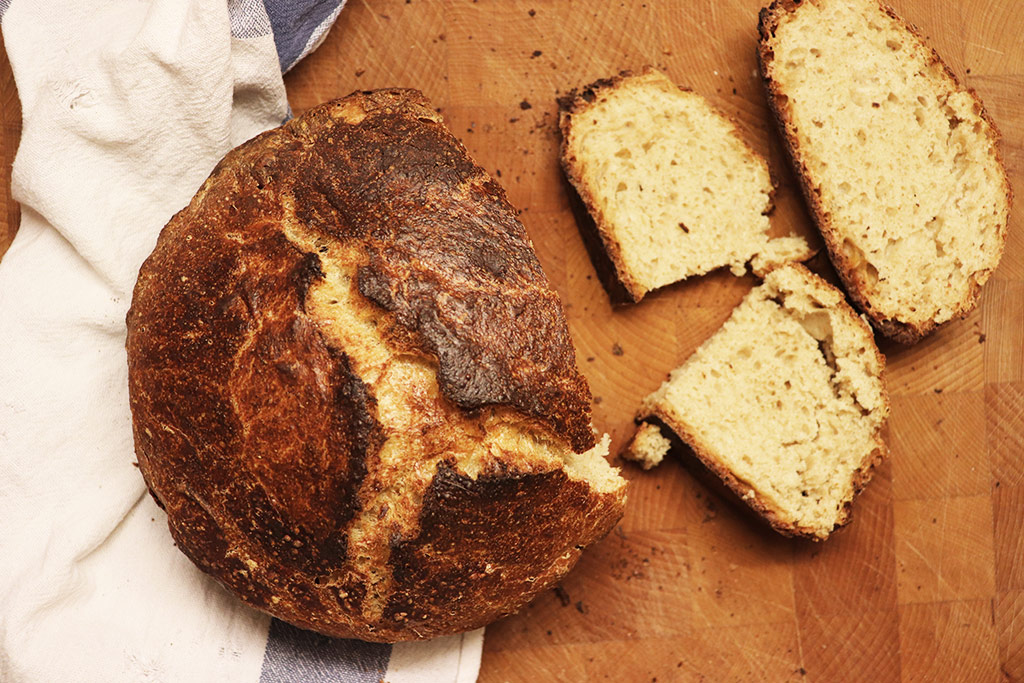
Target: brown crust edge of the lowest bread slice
{"type": "Point", "coordinates": [745, 491]}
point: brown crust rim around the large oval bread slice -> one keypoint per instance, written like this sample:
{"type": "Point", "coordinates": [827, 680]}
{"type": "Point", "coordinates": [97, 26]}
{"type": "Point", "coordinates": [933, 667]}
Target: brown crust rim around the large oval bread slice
{"type": "Point", "coordinates": [905, 333]}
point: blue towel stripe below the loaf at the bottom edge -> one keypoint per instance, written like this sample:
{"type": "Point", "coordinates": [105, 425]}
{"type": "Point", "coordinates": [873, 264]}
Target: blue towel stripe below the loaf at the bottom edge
{"type": "Point", "coordinates": [294, 655]}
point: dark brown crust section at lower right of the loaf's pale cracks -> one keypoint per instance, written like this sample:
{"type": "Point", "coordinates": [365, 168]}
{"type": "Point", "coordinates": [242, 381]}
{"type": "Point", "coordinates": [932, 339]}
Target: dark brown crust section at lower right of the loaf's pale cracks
{"type": "Point", "coordinates": [488, 546]}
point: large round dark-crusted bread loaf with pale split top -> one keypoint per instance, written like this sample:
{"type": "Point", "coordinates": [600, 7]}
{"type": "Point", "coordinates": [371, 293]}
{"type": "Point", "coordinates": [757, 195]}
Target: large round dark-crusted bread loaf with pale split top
{"type": "Point", "coordinates": [353, 388]}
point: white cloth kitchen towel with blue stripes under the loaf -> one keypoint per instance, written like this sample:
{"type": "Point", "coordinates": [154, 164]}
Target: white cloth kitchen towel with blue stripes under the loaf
{"type": "Point", "coordinates": [127, 107]}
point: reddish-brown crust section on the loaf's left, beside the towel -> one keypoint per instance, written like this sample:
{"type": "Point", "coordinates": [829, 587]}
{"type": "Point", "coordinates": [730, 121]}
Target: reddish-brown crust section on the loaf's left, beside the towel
{"type": "Point", "coordinates": [225, 362]}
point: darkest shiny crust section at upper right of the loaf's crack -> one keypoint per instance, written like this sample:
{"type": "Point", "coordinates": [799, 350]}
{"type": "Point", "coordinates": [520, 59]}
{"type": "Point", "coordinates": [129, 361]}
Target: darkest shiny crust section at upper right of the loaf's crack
{"type": "Point", "coordinates": [449, 259]}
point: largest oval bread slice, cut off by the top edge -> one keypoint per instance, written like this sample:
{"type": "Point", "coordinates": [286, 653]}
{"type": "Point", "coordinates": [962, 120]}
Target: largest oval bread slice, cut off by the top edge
{"type": "Point", "coordinates": [899, 162]}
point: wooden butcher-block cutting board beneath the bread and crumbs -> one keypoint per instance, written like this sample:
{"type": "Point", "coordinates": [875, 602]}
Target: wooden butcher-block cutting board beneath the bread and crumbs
{"type": "Point", "coordinates": [928, 581]}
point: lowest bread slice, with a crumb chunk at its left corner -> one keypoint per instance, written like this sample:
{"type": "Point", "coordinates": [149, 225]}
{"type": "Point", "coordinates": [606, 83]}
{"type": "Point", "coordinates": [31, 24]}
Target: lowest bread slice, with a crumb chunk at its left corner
{"type": "Point", "coordinates": [786, 403]}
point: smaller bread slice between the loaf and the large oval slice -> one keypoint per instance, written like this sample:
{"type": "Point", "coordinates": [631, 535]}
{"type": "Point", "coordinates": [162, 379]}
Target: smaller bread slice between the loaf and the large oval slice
{"type": "Point", "coordinates": [672, 188]}
